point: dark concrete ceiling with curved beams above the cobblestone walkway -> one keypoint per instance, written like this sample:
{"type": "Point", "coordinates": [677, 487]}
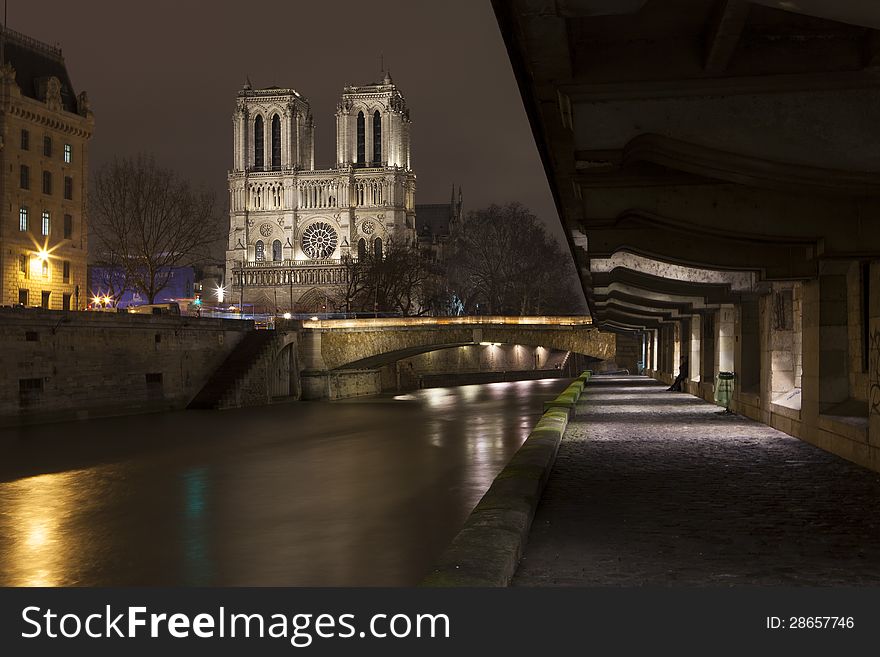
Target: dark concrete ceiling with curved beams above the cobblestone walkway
{"type": "Point", "coordinates": [697, 148]}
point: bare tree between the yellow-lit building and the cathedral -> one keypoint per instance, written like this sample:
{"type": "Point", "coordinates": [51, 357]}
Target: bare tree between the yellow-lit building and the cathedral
{"type": "Point", "coordinates": [146, 220]}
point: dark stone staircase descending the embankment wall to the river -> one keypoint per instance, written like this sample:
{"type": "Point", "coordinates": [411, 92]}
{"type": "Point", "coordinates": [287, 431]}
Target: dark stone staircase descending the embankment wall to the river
{"type": "Point", "coordinates": [235, 383]}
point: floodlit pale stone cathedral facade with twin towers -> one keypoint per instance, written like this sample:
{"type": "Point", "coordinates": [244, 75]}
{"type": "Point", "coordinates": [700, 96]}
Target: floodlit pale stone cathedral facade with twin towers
{"type": "Point", "coordinates": [294, 228]}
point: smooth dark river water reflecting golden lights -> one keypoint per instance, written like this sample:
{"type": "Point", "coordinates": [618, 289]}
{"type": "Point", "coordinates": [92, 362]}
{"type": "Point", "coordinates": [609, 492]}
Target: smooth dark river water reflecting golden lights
{"type": "Point", "coordinates": [364, 492]}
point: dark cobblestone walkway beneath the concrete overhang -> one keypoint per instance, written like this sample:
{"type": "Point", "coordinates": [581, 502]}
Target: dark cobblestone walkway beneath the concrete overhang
{"type": "Point", "coordinates": [655, 488]}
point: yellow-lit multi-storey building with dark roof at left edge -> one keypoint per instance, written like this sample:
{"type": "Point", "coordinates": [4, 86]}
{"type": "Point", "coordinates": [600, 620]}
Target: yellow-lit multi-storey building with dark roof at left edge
{"type": "Point", "coordinates": [45, 132]}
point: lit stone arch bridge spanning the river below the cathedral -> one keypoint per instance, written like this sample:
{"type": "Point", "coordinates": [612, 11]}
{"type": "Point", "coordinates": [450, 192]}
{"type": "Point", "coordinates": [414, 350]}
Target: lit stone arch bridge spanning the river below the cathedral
{"type": "Point", "coordinates": [341, 358]}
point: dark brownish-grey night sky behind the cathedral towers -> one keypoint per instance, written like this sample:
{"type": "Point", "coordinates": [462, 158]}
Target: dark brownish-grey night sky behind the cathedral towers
{"type": "Point", "coordinates": [162, 78]}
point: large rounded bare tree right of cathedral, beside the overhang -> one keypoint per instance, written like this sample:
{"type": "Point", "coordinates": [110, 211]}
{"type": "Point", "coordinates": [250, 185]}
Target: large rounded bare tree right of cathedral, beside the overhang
{"type": "Point", "coordinates": [503, 262]}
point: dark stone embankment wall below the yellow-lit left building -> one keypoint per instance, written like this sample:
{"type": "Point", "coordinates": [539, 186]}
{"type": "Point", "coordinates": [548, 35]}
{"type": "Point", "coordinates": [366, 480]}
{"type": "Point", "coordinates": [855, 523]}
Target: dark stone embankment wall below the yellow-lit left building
{"type": "Point", "coordinates": [67, 365]}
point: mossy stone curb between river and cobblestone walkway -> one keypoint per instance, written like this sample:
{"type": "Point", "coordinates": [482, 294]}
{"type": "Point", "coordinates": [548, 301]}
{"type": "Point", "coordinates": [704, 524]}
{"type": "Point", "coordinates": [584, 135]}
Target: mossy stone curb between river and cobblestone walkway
{"type": "Point", "coordinates": [486, 552]}
